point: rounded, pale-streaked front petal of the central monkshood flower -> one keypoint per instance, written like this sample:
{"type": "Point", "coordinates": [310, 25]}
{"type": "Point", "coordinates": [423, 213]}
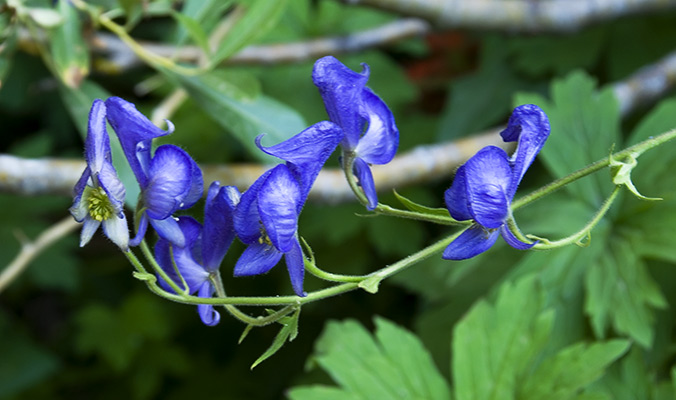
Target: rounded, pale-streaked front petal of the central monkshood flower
{"type": "Point", "coordinates": [278, 206]}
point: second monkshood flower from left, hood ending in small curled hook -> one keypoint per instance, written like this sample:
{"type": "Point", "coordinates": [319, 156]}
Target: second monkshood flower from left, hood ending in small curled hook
{"type": "Point", "coordinates": [170, 180]}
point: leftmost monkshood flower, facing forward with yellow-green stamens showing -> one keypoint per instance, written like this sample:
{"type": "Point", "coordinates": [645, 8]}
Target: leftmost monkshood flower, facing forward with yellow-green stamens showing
{"type": "Point", "coordinates": [99, 193]}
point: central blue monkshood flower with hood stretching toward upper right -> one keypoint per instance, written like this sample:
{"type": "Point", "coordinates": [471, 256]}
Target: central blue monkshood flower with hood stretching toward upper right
{"type": "Point", "coordinates": [266, 218]}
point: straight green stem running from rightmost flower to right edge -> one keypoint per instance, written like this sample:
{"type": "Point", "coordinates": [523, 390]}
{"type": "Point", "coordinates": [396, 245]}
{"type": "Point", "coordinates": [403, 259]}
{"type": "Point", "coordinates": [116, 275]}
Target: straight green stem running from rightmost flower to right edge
{"type": "Point", "coordinates": [634, 150]}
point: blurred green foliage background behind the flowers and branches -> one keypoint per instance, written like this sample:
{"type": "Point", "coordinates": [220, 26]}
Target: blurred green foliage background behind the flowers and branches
{"type": "Point", "coordinates": [574, 323]}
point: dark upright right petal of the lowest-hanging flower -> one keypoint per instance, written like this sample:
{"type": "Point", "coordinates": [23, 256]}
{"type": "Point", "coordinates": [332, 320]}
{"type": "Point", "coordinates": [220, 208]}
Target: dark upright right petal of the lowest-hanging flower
{"type": "Point", "coordinates": [219, 231]}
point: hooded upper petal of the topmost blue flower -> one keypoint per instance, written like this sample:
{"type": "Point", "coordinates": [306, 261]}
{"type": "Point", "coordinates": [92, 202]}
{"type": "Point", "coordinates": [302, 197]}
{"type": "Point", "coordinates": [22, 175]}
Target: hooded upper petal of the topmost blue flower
{"type": "Point", "coordinates": [341, 89]}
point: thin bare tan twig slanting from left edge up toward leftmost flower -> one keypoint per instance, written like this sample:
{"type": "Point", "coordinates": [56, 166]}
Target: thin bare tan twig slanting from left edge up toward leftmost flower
{"type": "Point", "coordinates": [30, 250]}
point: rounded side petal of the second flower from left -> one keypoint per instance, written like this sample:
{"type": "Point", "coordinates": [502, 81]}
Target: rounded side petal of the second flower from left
{"type": "Point", "coordinates": [170, 179]}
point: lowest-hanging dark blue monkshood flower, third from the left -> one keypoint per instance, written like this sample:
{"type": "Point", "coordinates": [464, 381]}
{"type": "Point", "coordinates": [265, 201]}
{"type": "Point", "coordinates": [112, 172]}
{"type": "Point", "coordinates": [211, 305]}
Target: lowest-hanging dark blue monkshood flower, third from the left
{"type": "Point", "coordinates": [198, 261]}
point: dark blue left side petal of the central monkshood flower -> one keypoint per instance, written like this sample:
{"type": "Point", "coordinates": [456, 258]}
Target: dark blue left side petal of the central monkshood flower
{"type": "Point", "coordinates": [246, 220]}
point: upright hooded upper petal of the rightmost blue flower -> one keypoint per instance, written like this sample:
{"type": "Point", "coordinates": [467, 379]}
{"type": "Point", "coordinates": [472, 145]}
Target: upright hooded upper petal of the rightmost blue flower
{"type": "Point", "coordinates": [530, 126]}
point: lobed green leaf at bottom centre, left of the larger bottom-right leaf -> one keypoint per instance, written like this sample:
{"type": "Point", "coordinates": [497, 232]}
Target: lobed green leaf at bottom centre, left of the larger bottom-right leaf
{"type": "Point", "coordinates": [392, 365]}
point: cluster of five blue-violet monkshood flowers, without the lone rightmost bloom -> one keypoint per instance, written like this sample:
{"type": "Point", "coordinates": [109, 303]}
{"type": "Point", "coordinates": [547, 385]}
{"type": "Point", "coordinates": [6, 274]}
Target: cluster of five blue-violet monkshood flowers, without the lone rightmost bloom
{"type": "Point", "coordinates": [264, 218]}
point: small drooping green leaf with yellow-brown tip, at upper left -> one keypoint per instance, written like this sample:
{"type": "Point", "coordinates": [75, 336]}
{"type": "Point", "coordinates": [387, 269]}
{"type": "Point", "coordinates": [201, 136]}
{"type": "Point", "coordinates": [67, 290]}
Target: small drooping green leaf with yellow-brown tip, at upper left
{"type": "Point", "coordinates": [69, 50]}
